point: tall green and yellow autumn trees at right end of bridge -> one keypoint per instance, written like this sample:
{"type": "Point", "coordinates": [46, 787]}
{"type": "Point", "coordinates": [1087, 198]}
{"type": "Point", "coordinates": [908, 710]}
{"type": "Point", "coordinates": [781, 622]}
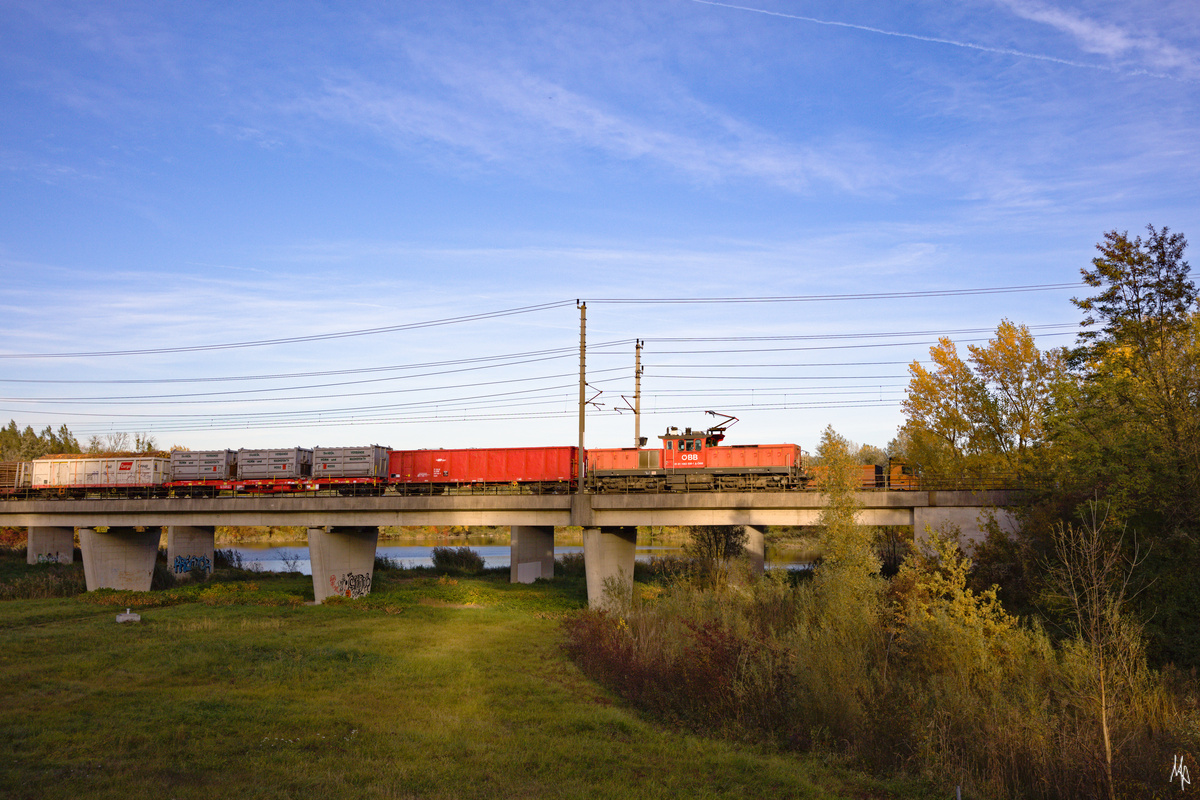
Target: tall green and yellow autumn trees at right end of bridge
{"type": "Point", "coordinates": [1114, 419]}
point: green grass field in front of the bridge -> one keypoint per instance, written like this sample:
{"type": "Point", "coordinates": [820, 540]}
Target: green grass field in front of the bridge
{"type": "Point", "coordinates": [430, 689]}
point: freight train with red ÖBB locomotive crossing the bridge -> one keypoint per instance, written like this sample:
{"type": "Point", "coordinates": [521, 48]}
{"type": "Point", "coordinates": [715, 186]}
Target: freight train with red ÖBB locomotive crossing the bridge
{"type": "Point", "coordinates": [686, 461]}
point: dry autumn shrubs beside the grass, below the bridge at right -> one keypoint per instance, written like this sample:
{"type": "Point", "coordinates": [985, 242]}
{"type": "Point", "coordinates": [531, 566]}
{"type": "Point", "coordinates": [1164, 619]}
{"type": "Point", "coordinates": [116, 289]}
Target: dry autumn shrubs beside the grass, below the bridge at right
{"type": "Point", "coordinates": [931, 678]}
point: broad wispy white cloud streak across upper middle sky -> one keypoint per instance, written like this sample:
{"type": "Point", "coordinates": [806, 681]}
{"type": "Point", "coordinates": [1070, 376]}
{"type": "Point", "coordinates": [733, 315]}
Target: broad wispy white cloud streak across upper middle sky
{"type": "Point", "coordinates": [509, 117]}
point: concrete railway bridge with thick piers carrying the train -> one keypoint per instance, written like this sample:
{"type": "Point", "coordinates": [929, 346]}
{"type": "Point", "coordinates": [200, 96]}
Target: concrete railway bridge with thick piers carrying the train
{"type": "Point", "coordinates": [119, 538]}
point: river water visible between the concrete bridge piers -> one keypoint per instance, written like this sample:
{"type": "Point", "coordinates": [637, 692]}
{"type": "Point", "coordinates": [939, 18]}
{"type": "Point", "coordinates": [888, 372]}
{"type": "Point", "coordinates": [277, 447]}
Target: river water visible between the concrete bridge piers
{"type": "Point", "coordinates": [293, 557]}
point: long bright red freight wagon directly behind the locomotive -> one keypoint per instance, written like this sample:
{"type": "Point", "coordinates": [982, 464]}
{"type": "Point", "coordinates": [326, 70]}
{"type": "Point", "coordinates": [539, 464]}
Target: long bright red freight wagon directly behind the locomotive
{"type": "Point", "coordinates": [539, 468]}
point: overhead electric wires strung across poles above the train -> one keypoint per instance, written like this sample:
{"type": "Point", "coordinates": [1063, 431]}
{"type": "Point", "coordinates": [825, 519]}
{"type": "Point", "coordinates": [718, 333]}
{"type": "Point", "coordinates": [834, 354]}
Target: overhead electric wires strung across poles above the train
{"type": "Point", "coordinates": [332, 417]}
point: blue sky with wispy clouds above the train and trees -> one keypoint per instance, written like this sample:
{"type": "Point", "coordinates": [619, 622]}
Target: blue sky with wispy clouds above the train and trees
{"type": "Point", "coordinates": [178, 176]}
